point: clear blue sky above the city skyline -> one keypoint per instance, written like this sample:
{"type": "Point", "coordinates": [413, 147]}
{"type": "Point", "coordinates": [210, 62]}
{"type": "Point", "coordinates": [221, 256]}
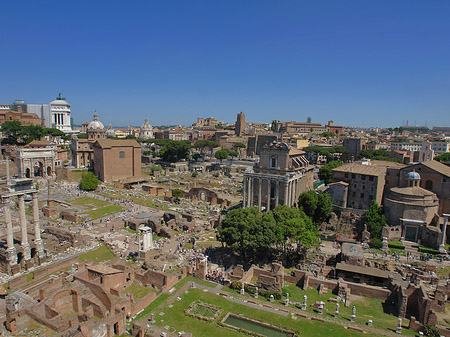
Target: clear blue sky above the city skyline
{"type": "Point", "coordinates": [368, 63]}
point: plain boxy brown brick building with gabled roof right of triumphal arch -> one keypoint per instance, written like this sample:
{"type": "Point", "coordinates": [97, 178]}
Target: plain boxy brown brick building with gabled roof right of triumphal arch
{"type": "Point", "coordinates": [117, 159]}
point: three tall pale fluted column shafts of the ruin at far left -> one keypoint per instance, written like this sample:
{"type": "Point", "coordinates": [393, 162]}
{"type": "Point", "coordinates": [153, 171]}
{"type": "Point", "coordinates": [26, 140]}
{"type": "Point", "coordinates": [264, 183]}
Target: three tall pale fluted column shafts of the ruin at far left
{"type": "Point", "coordinates": [11, 250]}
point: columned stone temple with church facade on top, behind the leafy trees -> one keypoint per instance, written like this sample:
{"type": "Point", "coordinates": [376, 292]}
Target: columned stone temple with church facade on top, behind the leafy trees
{"type": "Point", "coordinates": [281, 175]}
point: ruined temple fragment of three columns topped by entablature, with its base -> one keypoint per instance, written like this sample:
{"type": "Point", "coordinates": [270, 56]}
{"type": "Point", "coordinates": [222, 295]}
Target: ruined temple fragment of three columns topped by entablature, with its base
{"type": "Point", "coordinates": [19, 257]}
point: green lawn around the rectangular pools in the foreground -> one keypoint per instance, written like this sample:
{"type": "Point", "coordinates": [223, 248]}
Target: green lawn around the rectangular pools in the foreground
{"type": "Point", "coordinates": [366, 308]}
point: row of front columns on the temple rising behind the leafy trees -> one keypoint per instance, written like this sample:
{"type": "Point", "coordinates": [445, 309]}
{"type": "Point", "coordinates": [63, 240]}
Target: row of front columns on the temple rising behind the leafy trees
{"type": "Point", "coordinates": [290, 188]}
